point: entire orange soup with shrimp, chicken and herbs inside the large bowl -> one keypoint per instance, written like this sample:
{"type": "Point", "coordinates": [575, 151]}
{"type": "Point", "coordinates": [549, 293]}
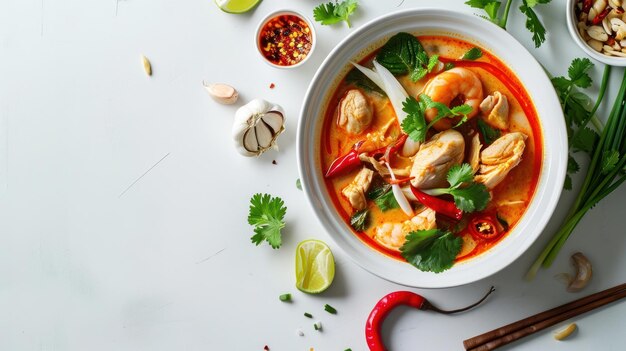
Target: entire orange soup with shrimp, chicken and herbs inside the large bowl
{"type": "Point", "coordinates": [431, 150]}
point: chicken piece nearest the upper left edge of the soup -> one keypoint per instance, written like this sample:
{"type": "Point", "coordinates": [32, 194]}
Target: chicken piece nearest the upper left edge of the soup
{"type": "Point", "coordinates": [355, 112]}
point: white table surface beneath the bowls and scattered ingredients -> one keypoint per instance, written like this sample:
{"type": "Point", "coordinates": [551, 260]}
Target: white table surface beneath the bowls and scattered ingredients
{"type": "Point", "coordinates": [168, 264]}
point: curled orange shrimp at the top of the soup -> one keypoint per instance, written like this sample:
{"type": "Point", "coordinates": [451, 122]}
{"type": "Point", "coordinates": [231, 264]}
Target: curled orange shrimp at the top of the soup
{"type": "Point", "coordinates": [456, 84]}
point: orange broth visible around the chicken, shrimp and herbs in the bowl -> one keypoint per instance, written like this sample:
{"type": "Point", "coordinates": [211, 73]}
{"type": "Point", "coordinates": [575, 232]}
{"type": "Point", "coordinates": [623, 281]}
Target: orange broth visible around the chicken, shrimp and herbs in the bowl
{"type": "Point", "coordinates": [510, 198]}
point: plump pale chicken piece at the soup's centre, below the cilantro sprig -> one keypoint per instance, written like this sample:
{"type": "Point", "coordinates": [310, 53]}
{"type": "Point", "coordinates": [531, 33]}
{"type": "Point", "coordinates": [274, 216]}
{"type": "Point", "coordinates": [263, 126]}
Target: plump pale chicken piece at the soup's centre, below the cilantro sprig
{"type": "Point", "coordinates": [433, 161]}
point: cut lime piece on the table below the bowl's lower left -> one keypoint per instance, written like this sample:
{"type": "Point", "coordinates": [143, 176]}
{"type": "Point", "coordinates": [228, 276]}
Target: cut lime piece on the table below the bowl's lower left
{"type": "Point", "coordinates": [315, 266]}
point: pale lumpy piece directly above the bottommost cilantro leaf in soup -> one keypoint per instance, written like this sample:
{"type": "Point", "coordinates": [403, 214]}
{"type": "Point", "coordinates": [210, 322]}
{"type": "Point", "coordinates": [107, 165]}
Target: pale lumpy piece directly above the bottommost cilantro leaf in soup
{"type": "Point", "coordinates": [393, 235]}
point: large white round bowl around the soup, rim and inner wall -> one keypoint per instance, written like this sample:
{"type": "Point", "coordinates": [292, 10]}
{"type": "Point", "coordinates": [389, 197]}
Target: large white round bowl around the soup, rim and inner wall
{"type": "Point", "coordinates": [474, 30]}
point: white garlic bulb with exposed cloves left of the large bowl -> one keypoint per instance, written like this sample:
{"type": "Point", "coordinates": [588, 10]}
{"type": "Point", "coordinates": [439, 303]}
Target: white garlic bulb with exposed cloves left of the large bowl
{"type": "Point", "coordinates": [257, 125]}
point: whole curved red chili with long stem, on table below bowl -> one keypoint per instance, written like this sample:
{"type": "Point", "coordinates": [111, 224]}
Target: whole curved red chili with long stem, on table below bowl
{"type": "Point", "coordinates": [391, 301]}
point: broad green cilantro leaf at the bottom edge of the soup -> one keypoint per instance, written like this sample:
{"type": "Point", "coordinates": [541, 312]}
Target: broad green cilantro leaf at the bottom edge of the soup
{"type": "Point", "coordinates": [431, 250]}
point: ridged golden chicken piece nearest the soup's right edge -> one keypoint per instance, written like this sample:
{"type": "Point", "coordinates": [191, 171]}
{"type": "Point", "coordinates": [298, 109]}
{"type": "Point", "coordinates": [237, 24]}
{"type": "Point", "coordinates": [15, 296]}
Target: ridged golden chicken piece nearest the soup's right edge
{"type": "Point", "coordinates": [499, 158]}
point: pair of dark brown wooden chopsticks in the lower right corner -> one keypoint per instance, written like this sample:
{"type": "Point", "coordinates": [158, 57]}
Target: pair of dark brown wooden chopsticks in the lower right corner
{"type": "Point", "coordinates": [532, 324]}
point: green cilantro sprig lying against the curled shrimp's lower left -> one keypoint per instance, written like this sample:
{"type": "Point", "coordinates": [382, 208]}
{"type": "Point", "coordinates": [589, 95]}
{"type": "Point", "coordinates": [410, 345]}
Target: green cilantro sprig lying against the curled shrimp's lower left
{"type": "Point", "coordinates": [414, 124]}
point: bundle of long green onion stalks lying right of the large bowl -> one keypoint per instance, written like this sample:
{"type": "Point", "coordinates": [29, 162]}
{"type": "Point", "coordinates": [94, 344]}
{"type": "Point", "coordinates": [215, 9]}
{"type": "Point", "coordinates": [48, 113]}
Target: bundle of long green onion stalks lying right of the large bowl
{"type": "Point", "coordinates": [601, 179]}
